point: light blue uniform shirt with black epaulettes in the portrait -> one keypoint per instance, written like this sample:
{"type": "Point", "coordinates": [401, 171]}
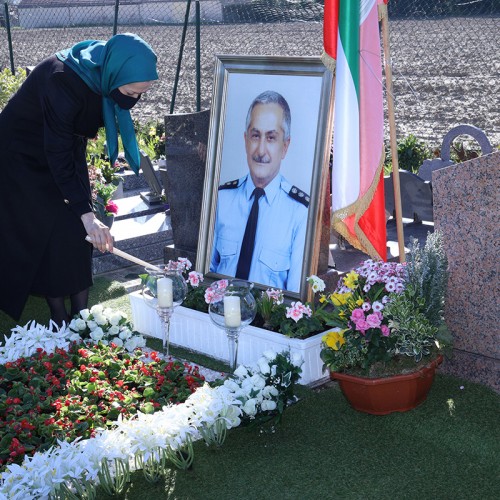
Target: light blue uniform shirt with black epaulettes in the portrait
{"type": "Point", "coordinates": [280, 237]}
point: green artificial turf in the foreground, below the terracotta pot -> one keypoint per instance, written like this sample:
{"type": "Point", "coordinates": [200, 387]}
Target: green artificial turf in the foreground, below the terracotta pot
{"type": "Point", "coordinates": [326, 450]}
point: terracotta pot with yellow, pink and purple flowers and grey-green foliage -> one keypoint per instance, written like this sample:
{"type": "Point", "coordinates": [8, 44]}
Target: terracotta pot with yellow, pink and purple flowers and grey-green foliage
{"type": "Point", "coordinates": [388, 329]}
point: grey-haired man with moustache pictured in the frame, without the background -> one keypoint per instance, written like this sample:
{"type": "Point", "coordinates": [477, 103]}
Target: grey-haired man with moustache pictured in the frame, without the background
{"type": "Point", "coordinates": [261, 218]}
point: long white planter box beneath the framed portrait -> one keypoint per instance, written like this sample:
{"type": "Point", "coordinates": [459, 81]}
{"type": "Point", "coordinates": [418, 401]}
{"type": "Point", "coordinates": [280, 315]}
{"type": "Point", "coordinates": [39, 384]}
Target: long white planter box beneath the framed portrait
{"type": "Point", "coordinates": [195, 331]}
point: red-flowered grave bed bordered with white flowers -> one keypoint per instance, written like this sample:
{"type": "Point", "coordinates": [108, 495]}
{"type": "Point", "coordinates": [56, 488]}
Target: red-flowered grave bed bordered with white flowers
{"type": "Point", "coordinates": [151, 440]}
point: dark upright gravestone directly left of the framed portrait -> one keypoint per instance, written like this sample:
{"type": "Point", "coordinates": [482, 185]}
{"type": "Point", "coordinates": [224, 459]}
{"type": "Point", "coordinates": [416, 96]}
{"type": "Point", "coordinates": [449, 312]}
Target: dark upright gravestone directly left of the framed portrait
{"type": "Point", "coordinates": [183, 178]}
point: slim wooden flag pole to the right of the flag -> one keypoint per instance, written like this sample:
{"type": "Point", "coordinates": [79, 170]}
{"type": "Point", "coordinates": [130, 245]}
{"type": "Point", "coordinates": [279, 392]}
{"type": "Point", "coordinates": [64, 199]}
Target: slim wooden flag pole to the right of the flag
{"type": "Point", "coordinates": [384, 18]}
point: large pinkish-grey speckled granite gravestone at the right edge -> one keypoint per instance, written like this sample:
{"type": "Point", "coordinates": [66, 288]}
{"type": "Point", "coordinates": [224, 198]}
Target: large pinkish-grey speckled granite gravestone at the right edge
{"type": "Point", "coordinates": [466, 208]}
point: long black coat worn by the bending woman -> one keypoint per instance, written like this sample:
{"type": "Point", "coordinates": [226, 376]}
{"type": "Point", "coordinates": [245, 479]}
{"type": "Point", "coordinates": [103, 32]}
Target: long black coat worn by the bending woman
{"type": "Point", "coordinates": [44, 186]}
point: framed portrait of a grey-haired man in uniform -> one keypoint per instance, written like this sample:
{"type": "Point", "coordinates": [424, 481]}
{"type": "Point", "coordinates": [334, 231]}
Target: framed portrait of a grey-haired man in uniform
{"type": "Point", "coordinates": [267, 164]}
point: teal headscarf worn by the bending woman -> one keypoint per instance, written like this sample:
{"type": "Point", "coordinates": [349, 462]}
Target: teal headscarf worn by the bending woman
{"type": "Point", "coordinates": [105, 66]}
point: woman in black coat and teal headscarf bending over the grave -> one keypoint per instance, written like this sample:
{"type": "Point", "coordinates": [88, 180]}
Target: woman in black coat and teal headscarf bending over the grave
{"type": "Point", "coordinates": [45, 196]}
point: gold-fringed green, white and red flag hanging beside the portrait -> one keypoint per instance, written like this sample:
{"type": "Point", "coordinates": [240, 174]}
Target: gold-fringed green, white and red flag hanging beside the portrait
{"type": "Point", "coordinates": [352, 50]}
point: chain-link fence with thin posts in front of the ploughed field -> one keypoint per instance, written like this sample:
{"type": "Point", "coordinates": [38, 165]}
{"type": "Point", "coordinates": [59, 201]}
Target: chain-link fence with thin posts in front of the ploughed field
{"type": "Point", "coordinates": [444, 54]}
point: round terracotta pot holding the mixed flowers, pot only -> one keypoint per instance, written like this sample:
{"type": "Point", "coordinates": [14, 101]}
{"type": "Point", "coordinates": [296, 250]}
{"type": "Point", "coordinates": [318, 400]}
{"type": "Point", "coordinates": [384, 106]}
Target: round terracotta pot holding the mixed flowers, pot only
{"type": "Point", "coordinates": [381, 396]}
